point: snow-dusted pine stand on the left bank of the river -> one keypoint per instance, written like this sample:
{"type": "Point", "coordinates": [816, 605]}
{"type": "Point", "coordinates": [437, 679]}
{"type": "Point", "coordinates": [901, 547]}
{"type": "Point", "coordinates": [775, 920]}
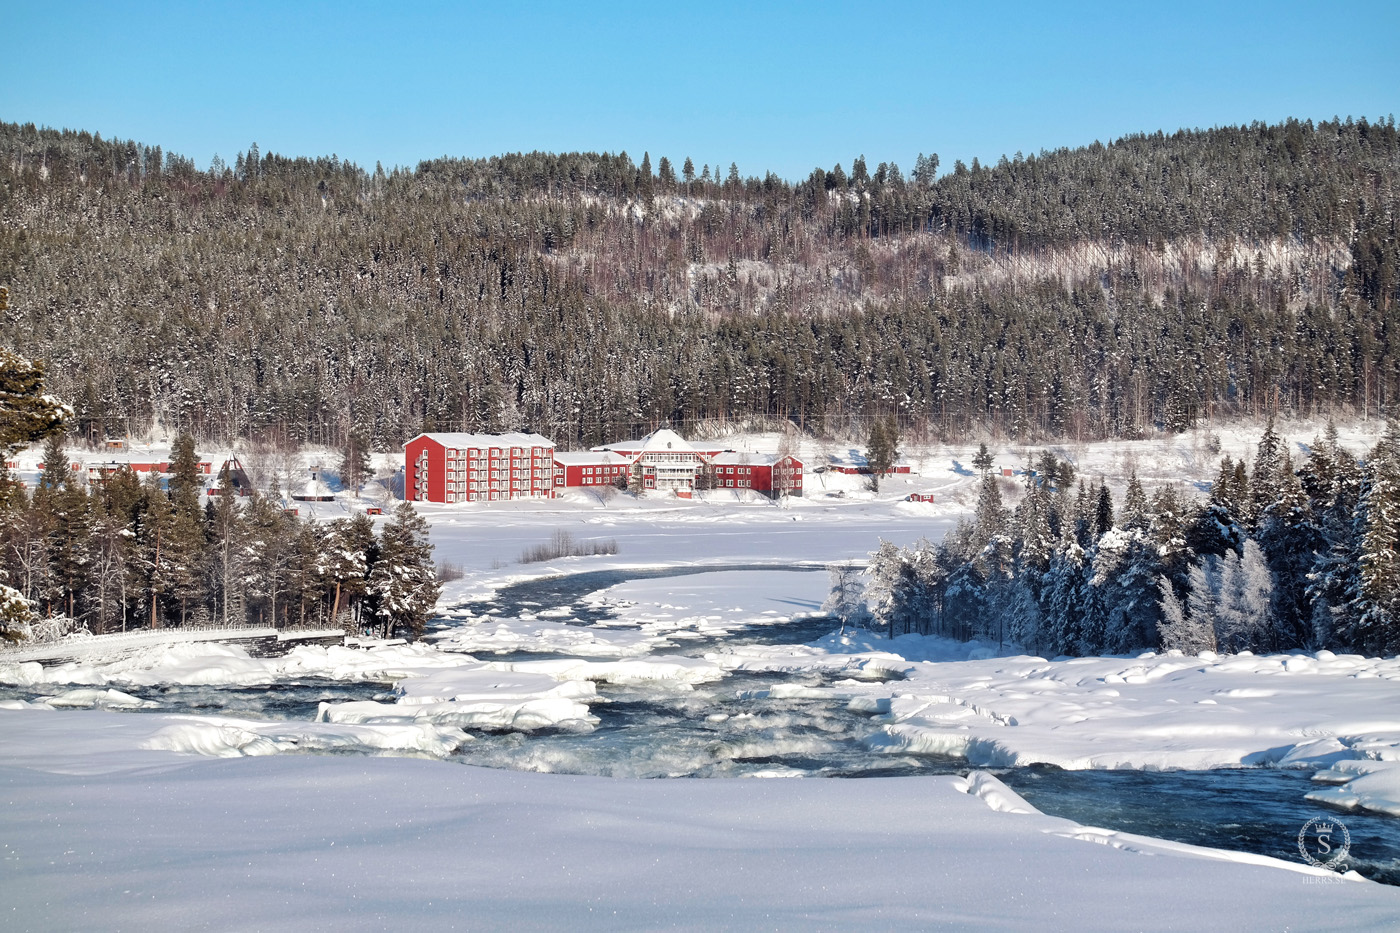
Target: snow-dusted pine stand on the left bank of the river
{"type": "Point", "coordinates": [129, 554]}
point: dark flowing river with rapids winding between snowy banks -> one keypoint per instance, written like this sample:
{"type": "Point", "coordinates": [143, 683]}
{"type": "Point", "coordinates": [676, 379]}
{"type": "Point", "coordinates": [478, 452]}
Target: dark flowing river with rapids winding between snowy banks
{"type": "Point", "coordinates": [741, 726]}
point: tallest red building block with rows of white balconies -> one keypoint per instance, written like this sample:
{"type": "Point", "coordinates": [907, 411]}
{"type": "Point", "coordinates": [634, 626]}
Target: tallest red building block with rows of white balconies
{"type": "Point", "coordinates": [451, 469]}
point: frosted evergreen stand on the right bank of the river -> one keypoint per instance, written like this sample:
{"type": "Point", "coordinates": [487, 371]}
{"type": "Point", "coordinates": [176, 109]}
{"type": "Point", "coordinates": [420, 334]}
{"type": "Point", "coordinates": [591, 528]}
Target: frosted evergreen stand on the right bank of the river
{"type": "Point", "coordinates": [1276, 560]}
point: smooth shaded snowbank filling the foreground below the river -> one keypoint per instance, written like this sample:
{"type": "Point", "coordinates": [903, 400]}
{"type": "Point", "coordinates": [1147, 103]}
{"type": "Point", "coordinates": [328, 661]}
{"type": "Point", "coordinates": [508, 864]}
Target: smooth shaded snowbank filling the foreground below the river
{"type": "Point", "coordinates": [321, 844]}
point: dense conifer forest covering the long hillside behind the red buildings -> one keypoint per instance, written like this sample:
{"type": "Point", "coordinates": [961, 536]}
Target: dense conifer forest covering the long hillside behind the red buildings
{"type": "Point", "coordinates": [1108, 291]}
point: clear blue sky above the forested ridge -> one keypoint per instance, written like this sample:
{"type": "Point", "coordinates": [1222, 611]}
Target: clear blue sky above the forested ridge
{"type": "Point", "coordinates": [773, 88]}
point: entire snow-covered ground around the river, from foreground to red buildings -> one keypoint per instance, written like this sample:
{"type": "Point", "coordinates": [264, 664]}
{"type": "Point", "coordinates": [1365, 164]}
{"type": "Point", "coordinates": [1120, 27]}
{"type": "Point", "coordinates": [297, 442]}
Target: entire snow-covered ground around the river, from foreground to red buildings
{"type": "Point", "coordinates": [117, 819]}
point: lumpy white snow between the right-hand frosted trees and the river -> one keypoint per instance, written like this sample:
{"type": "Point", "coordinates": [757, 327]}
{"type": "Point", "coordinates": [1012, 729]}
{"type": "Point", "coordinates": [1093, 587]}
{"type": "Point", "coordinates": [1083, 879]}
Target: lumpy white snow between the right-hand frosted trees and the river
{"type": "Point", "coordinates": [1339, 714]}
